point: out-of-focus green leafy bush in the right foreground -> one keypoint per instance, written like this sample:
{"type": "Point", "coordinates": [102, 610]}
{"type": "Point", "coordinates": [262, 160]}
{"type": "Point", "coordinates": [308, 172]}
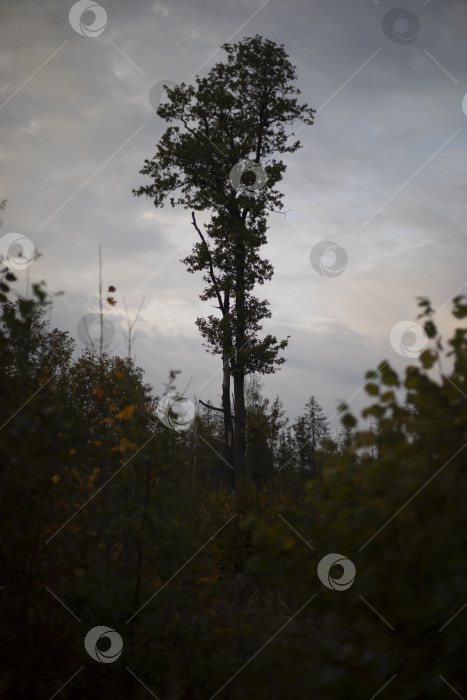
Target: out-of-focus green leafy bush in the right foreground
{"type": "Point", "coordinates": [399, 516]}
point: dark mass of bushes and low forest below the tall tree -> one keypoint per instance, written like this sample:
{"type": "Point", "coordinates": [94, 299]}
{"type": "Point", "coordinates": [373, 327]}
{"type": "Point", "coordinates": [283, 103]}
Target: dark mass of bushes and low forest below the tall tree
{"type": "Point", "coordinates": [107, 517]}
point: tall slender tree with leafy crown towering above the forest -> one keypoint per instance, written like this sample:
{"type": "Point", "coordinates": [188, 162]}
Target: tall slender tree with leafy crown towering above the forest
{"type": "Point", "coordinates": [228, 126]}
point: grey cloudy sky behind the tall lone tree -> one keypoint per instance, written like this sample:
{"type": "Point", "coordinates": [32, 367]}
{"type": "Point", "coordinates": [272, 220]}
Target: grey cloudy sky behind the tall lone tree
{"type": "Point", "coordinates": [382, 174]}
